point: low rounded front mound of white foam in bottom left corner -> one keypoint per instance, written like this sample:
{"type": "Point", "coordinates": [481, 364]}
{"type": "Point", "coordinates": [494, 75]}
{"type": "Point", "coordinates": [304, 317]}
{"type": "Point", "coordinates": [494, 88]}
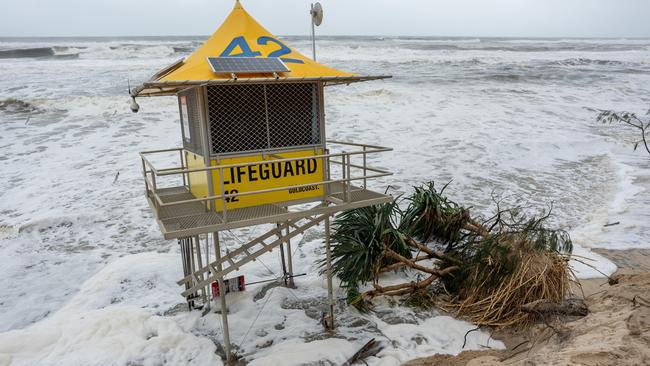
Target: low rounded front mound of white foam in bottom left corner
{"type": "Point", "coordinates": [117, 335]}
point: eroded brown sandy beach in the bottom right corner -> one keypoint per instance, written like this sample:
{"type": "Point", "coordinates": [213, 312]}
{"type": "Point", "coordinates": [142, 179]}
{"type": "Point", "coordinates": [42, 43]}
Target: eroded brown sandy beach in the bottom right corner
{"type": "Point", "coordinates": [616, 331]}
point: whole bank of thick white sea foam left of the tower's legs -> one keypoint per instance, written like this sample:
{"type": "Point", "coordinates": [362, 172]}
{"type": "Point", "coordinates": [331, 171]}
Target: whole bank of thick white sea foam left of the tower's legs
{"type": "Point", "coordinates": [97, 328]}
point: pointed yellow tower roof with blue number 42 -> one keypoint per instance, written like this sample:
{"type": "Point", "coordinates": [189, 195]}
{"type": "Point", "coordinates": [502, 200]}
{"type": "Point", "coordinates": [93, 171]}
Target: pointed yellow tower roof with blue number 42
{"type": "Point", "coordinates": [241, 36]}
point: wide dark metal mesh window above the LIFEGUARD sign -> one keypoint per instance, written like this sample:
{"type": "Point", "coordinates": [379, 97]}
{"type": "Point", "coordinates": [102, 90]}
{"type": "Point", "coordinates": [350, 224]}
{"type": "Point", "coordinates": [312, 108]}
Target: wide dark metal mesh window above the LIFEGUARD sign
{"type": "Point", "coordinates": [251, 117]}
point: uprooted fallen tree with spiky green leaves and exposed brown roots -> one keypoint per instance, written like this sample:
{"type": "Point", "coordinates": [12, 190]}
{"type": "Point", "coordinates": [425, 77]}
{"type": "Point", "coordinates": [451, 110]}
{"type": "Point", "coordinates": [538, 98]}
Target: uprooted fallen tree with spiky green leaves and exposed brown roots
{"type": "Point", "coordinates": [490, 268]}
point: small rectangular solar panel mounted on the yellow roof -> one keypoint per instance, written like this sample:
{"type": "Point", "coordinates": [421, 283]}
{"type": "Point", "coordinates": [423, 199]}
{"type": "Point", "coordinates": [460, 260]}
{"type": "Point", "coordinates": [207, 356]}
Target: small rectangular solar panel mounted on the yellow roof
{"type": "Point", "coordinates": [246, 65]}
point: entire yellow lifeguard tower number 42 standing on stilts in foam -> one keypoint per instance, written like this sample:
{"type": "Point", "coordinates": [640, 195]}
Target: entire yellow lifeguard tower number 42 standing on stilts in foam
{"type": "Point", "coordinates": [253, 152]}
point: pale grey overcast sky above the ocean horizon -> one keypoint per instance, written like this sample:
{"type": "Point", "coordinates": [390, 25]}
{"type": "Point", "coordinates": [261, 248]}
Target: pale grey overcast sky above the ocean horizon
{"type": "Point", "coordinates": [514, 18]}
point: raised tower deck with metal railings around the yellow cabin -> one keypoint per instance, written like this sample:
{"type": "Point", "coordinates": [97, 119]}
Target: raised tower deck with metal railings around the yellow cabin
{"type": "Point", "coordinates": [180, 214]}
